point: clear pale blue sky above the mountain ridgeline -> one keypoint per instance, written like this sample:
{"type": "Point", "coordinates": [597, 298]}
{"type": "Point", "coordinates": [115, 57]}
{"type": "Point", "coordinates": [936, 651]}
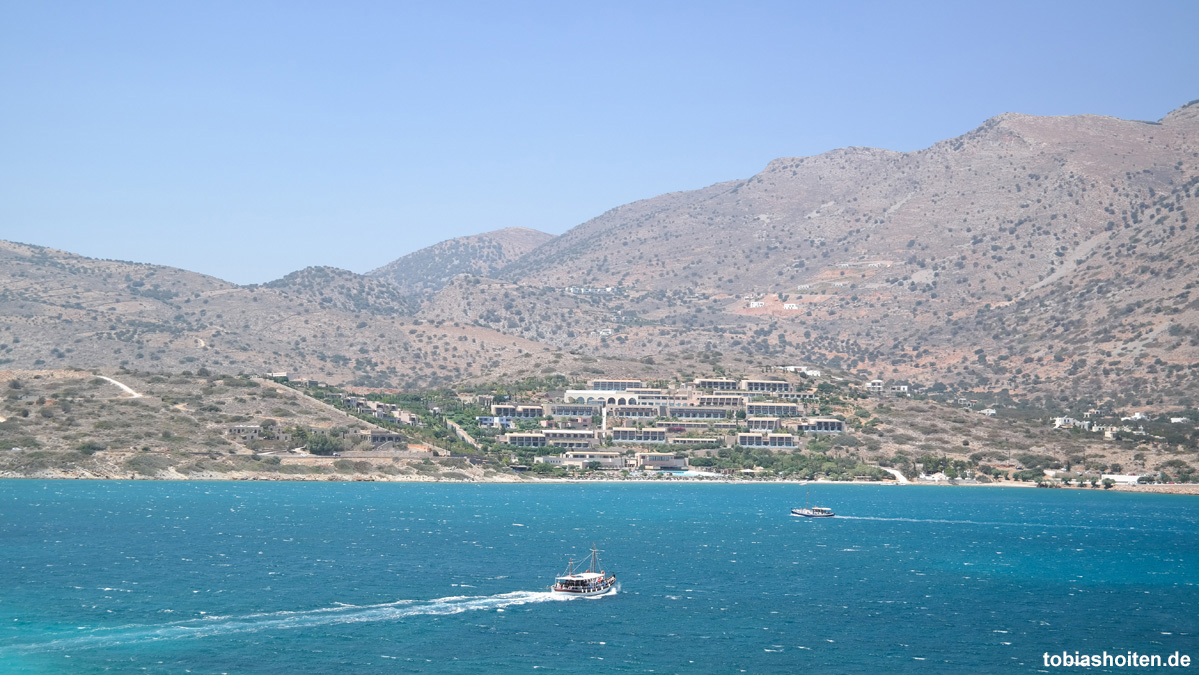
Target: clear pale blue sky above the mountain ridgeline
{"type": "Point", "coordinates": [249, 140]}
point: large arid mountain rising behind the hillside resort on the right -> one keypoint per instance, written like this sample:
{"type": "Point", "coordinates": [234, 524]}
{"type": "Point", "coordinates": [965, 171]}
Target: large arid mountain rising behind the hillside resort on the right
{"type": "Point", "coordinates": [1034, 255]}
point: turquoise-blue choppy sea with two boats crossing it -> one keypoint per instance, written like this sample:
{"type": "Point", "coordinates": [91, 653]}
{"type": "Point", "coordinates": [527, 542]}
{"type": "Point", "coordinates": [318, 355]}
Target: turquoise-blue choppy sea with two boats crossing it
{"type": "Point", "coordinates": [166, 577]}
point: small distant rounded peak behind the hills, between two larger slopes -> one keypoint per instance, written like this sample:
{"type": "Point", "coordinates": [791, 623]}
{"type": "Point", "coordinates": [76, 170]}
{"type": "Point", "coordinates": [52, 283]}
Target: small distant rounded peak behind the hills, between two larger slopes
{"type": "Point", "coordinates": [430, 269]}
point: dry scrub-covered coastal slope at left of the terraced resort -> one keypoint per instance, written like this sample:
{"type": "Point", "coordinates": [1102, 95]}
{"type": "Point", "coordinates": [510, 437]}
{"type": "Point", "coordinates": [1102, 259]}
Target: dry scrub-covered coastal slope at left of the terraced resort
{"type": "Point", "coordinates": [74, 424]}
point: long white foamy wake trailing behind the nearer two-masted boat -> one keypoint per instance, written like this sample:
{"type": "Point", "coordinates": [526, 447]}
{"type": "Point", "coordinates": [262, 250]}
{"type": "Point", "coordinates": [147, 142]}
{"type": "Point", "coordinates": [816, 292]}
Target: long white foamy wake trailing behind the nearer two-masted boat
{"type": "Point", "coordinates": [101, 638]}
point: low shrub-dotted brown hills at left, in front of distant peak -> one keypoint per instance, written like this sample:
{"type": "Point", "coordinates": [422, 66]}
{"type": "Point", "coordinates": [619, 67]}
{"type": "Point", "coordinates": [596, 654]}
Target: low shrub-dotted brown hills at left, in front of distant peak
{"type": "Point", "coordinates": [59, 310]}
